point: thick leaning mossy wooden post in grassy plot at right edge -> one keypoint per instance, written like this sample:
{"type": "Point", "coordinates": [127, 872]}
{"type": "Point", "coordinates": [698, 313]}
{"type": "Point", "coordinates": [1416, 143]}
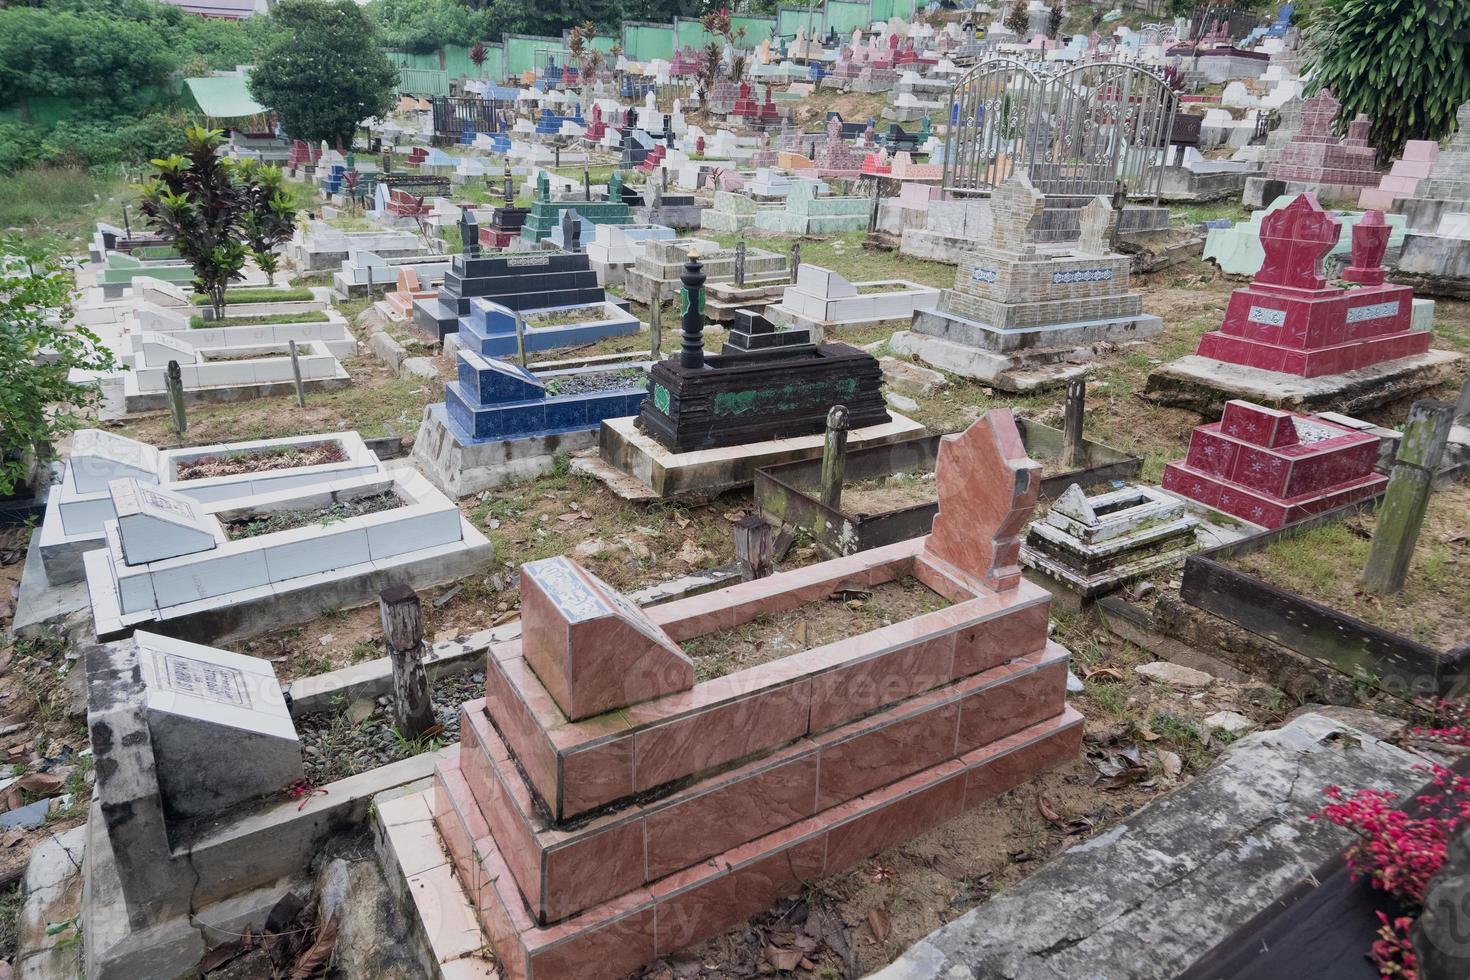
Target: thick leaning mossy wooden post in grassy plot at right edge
{"type": "Point", "coordinates": [1408, 497]}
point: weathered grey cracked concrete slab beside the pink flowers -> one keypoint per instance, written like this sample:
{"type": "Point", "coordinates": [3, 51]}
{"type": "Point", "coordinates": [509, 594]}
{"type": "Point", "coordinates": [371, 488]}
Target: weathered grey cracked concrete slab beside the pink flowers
{"type": "Point", "coordinates": [1144, 900]}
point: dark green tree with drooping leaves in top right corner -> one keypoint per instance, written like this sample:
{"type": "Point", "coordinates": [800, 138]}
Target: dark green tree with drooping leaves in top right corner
{"type": "Point", "coordinates": [1406, 64]}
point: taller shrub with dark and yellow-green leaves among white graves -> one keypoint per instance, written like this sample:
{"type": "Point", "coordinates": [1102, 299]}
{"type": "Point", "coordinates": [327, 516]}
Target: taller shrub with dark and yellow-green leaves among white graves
{"type": "Point", "coordinates": [196, 205]}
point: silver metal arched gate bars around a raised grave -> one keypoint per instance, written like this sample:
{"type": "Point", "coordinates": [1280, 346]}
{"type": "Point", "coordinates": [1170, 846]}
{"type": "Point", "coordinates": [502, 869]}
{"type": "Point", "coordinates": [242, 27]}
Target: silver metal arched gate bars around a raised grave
{"type": "Point", "coordinates": [1078, 131]}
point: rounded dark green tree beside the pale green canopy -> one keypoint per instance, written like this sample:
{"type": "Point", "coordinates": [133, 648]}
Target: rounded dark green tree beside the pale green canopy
{"type": "Point", "coordinates": [324, 73]}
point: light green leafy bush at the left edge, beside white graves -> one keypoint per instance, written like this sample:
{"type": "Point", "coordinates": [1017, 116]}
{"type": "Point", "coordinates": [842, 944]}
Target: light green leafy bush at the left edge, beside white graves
{"type": "Point", "coordinates": [40, 349]}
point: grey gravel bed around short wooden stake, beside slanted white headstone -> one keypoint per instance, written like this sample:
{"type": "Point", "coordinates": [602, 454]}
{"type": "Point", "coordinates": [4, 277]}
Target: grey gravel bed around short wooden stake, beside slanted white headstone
{"type": "Point", "coordinates": [359, 737]}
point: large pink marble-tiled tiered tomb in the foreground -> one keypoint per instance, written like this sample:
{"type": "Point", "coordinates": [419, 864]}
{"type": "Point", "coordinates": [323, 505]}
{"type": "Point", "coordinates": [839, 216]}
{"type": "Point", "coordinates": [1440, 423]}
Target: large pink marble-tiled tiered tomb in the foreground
{"type": "Point", "coordinates": [592, 846]}
